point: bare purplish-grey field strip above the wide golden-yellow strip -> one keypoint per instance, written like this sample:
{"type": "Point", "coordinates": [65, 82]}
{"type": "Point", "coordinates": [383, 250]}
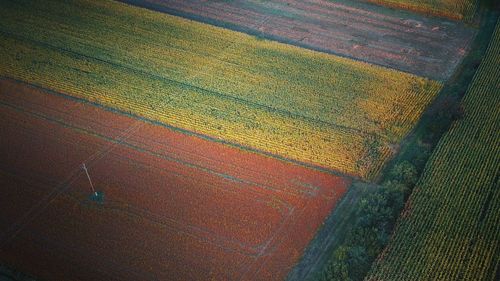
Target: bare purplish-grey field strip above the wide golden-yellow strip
{"type": "Point", "coordinates": [428, 47]}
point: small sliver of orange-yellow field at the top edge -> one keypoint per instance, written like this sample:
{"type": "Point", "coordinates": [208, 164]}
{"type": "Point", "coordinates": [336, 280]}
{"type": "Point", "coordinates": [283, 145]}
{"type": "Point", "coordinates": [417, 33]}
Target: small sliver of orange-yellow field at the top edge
{"type": "Point", "coordinates": [455, 9]}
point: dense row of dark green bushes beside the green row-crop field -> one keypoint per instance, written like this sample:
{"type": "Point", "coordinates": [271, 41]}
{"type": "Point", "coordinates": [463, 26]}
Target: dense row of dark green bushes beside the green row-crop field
{"type": "Point", "coordinates": [370, 233]}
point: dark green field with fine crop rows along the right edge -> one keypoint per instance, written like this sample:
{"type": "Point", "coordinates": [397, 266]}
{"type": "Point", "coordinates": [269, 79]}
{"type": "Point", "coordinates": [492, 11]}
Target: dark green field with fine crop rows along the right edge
{"type": "Point", "coordinates": [455, 208]}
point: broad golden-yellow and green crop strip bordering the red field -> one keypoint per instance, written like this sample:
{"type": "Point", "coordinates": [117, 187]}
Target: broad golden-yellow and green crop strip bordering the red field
{"type": "Point", "coordinates": [299, 104]}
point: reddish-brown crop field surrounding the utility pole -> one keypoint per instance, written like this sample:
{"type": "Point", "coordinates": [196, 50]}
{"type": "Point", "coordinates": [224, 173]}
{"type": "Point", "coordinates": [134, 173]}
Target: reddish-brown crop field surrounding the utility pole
{"type": "Point", "coordinates": [177, 207]}
